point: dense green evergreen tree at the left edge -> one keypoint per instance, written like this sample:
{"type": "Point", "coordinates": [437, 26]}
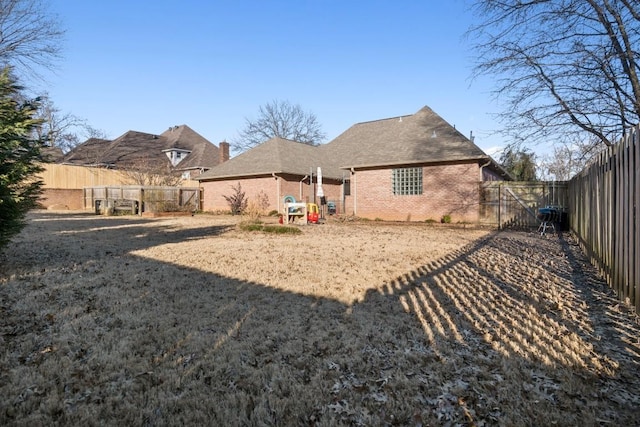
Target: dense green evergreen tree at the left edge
{"type": "Point", "coordinates": [19, 156]}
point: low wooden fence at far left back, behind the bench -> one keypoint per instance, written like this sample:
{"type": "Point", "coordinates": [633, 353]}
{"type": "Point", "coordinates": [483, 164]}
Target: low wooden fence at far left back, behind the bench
{"type": "Point", "coordinates": [141, 199]}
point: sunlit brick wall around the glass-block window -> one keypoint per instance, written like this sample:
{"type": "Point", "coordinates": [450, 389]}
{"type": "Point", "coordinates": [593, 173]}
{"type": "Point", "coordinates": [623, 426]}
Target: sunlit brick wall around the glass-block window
{"type": "Point", "coordinates": [447, 190]}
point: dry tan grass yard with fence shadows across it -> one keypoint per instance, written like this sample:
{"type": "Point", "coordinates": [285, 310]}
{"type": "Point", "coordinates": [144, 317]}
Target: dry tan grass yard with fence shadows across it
{"type": "Point", "coordinates": [192, 321]}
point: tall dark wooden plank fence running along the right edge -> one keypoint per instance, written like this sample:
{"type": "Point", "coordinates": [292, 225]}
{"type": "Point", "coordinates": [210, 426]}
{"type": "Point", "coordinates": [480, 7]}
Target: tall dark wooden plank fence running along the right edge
{"type": "Point", "coordinates": [605, 215]}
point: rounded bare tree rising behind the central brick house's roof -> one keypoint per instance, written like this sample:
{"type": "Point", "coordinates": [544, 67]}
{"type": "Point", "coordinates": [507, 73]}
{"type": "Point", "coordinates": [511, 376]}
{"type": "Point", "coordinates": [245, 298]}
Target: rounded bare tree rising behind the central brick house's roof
{"type": "Point", "coordinates": [280, 119]}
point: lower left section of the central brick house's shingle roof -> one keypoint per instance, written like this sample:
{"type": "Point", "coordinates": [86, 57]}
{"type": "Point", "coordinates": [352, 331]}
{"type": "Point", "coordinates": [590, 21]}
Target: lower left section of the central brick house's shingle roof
{"type": "Point", "coordinates": [275, 156]}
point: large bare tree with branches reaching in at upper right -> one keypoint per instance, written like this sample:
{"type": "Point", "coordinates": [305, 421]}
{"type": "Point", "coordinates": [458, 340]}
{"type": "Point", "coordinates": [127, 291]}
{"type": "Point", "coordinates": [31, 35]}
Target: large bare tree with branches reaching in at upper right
{"type": "Point", "coordinates": [562, 67]}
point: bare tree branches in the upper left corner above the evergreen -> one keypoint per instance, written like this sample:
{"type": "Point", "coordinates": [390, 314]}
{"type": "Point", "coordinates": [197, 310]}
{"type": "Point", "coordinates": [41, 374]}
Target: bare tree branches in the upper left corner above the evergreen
{"type": "Point", "coordinates": [30, 37]}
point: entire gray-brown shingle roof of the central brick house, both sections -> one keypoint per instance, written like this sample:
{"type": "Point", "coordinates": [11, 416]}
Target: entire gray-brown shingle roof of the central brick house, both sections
{"type": "Point", "coordinates": [421, 138]}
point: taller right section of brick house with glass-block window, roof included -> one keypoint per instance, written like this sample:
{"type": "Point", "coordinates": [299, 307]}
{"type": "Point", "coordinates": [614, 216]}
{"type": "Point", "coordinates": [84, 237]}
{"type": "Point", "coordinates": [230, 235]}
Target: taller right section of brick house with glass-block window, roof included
{"type": "Point", "coordinates": [412, 168]}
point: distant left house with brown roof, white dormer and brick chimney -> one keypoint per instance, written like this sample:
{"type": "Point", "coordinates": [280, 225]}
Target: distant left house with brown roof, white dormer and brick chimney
{"type": "Point", "coordinates": [178, 149]}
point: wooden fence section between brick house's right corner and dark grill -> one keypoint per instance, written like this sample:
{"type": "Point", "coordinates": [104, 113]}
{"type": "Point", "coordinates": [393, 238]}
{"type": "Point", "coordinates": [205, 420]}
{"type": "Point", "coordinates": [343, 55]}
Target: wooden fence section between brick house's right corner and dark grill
{"type": "Point", "coordinates": [505, 204]}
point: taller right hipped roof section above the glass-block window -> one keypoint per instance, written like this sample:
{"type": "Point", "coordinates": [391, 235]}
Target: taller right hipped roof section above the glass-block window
{"type": "Point", "coordinates": [423, 137]}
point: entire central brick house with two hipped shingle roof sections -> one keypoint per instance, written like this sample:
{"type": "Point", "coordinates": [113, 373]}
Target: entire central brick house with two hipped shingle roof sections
{"type": "Point", "coordinates": [414, 167]}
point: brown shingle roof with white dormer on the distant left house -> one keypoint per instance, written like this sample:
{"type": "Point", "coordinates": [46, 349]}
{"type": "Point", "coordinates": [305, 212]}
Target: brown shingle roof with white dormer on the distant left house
{"type": "Point", "coordinates": [134, 146]}
